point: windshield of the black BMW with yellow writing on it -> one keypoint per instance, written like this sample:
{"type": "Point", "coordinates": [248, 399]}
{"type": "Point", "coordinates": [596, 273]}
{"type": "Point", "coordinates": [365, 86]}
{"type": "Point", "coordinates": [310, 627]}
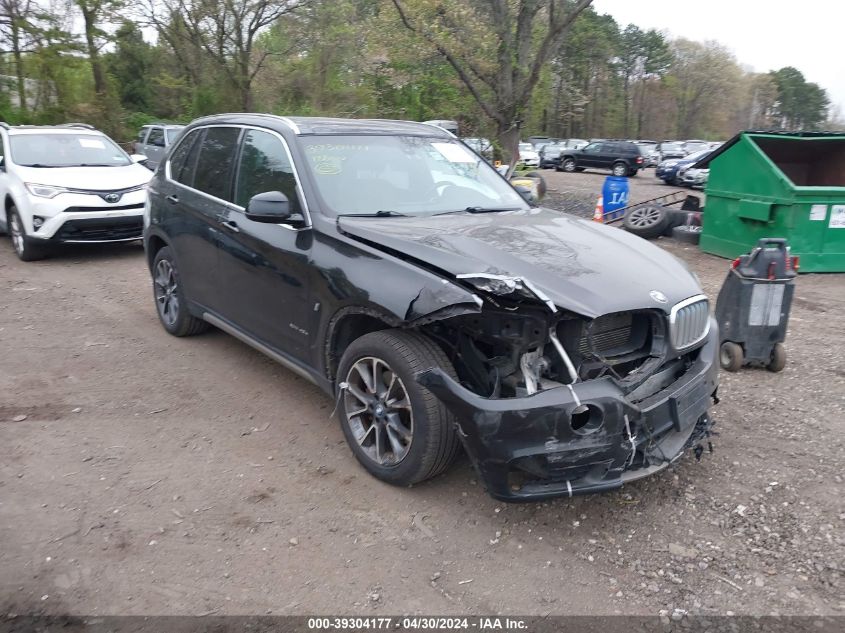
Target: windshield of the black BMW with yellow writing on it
{"type": "Point", "coordinates": [406, 175]}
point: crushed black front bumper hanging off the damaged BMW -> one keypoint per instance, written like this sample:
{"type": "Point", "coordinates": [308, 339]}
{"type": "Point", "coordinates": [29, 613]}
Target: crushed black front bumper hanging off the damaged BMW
{"type": "Point", "coordinates": [526, 449]}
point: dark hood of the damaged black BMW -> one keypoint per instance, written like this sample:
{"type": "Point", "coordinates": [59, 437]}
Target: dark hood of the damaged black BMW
{"type": "Point", "coordinates": [581, 266]}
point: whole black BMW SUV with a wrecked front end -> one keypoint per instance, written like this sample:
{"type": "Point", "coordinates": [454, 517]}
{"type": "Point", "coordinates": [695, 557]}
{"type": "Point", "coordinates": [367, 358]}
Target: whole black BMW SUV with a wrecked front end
{"type": "Point", "coordinates": [397, 270]}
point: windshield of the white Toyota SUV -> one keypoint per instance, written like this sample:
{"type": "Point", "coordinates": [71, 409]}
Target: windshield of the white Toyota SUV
{"type": "Point", "coordinates": [66, 150]}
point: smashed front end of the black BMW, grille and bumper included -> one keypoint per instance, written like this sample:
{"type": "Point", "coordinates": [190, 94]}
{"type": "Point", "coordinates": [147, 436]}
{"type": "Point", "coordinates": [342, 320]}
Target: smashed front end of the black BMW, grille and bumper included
{"type": "Point", "coordinates": [553, 403]}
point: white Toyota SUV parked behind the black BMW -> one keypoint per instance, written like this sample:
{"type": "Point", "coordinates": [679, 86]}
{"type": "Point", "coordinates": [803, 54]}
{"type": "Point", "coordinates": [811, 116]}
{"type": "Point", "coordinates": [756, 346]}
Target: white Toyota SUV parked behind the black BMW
{"type": "Point", "coordinates": [68, 184]}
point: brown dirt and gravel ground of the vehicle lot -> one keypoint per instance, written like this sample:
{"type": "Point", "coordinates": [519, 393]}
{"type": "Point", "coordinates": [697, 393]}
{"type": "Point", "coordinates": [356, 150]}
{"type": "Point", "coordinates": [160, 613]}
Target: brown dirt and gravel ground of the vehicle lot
{"type": "Point", "coordinates": [143, 474]}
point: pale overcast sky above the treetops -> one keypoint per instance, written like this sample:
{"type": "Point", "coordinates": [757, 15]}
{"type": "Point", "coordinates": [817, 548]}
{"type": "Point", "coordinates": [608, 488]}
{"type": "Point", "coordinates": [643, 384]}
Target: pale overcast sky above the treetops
{"type": "Point", "coordinates": [763, 34]}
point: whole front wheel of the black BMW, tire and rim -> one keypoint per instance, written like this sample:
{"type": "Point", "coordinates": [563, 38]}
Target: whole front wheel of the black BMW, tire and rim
{"type": "Point", "coordinates": [398, 430]}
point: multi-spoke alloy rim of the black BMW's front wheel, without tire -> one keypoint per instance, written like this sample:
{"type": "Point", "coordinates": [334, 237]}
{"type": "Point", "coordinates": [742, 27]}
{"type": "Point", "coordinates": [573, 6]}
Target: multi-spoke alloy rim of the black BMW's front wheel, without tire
{"type": "Point", "coordinates": [378, 411]}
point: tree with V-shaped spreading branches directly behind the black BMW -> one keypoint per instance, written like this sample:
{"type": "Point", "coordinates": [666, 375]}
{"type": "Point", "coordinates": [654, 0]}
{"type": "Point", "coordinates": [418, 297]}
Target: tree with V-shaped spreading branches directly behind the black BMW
{"type": "Point", "coordinates": [498, 49]}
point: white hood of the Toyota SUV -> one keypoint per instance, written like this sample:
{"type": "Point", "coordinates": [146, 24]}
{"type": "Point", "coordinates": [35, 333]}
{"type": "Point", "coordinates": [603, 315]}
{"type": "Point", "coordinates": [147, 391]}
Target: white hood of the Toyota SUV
{"type": "Point", "coordinates": [89, 178]}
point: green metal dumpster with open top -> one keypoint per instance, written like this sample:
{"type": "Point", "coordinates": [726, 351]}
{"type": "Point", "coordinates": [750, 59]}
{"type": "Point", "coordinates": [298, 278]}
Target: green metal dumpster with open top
{"type": "Point", "coordinates": [778, 184]}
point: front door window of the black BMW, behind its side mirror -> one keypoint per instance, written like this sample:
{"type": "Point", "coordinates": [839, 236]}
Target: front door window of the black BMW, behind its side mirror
{"type": "Point", "coordinates": [265, 166]}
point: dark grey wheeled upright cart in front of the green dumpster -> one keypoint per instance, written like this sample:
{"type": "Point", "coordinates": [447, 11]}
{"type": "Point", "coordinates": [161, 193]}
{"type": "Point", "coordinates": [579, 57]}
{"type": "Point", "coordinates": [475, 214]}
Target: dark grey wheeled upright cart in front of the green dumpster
{"type": "Point", "coordinates": [753, 306]}
